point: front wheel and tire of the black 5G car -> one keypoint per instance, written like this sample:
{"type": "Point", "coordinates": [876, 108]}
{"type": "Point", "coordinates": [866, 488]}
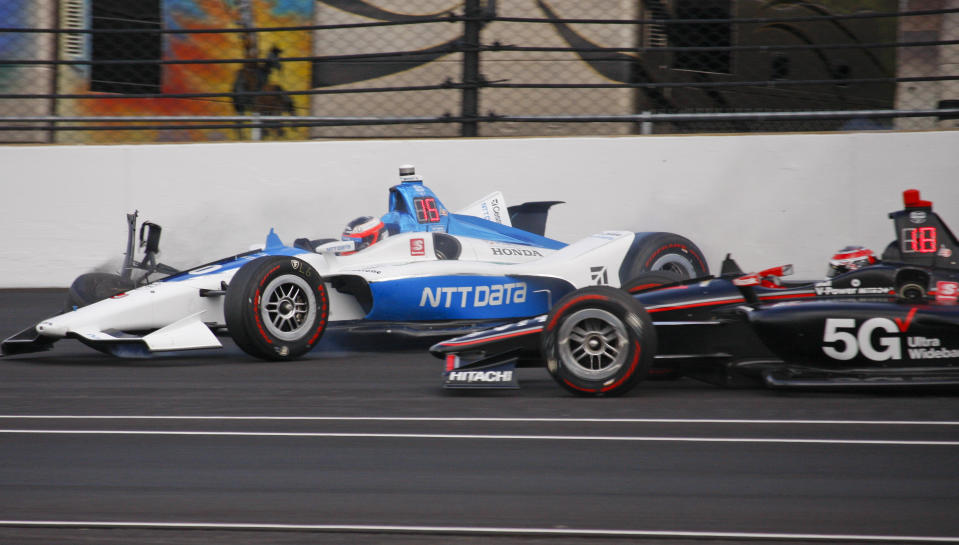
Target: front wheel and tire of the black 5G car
{"type": "Point", "coordinates": [598, 341]}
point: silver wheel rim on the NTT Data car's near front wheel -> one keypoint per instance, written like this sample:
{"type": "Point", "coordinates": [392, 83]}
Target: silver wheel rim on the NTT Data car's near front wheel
{"type": "Point", "coordinates": [287, 307]}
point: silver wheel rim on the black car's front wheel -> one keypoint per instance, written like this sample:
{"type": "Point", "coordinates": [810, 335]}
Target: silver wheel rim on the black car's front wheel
{"type": "Point", "coordinates": [593, 344]}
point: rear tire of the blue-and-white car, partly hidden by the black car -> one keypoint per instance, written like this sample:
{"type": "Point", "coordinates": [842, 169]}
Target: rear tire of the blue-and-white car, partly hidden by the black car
{"type": "Point", "coordinates": [664, 252]}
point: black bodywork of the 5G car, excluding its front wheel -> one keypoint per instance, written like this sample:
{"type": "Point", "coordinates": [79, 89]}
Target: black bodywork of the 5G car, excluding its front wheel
{"type": "Point", "coordinates": [893, 323]}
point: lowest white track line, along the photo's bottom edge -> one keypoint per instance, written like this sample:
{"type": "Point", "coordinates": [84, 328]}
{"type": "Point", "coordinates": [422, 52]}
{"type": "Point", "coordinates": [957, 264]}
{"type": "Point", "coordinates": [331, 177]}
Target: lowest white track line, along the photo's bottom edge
{"type": "Point", "coordinates": [475, 530]}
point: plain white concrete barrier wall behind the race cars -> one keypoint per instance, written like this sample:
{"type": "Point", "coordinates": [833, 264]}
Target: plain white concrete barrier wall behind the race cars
{"type": "Point", "coordinates": [768, 199]}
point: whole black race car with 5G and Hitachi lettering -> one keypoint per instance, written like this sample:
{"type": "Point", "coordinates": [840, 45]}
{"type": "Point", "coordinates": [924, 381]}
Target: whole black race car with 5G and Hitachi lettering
{"type": "Point", "coordinates": [892, 321]}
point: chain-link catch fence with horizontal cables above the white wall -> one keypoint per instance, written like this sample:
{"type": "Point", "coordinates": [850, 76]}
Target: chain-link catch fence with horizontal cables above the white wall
{"type": "Point", "coordinates": [100, 71]}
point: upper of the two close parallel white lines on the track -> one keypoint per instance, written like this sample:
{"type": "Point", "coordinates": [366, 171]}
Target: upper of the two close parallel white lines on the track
{"type": "Point", "coordinates": [487, 419]}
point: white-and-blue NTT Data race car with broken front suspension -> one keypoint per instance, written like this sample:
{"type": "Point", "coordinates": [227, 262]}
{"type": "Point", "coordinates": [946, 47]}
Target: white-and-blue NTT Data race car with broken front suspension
{"type": "Point", "coordinates": [418, 270]}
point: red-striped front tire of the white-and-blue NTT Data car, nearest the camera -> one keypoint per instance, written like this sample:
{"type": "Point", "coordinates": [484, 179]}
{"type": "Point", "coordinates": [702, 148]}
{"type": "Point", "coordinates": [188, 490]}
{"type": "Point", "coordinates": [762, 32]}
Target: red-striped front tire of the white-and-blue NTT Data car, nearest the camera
{"type": "Point", "coordinates": [276, 308]}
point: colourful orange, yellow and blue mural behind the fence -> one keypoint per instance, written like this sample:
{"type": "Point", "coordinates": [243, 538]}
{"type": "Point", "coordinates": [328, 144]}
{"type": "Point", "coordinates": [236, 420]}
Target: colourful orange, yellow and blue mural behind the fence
{"type": "Point", "coordinates": [187, 79]}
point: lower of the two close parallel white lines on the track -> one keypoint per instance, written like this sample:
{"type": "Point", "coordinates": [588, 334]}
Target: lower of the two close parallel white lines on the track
{"type": "Point", "coordinates": [485, 437]}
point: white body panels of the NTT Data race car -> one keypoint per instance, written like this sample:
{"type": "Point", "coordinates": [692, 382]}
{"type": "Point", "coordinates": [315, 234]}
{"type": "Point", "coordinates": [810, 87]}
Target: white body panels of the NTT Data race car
{"type": "Point", "coordinates": [172, 315]}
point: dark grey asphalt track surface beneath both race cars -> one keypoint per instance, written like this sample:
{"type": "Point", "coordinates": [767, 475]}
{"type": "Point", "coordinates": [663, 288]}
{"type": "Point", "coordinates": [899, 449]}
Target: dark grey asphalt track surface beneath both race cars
{"type": "Point", "coordinates": [353, 446]}
